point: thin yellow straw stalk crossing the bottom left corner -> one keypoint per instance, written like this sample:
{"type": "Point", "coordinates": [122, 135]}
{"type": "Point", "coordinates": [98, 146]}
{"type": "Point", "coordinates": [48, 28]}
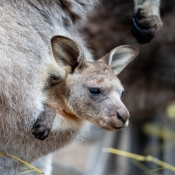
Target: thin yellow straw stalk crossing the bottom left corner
{"type": "Point", "coordinates": [31, 167]}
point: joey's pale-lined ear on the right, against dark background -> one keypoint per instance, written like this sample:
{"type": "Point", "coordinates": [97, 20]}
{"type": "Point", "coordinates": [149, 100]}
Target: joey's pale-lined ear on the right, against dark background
{"type": "Point", "coordinates": [120, 57]}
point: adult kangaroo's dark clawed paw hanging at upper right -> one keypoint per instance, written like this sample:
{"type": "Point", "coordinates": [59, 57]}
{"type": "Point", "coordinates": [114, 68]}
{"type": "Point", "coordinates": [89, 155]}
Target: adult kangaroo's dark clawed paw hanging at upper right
{"type": "Point", "coordinates": [144, 28]}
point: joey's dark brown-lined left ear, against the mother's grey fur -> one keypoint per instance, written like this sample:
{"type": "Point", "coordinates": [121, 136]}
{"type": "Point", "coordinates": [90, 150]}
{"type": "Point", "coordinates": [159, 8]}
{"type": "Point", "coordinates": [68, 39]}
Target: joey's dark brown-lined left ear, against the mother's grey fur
{"type": "Point", "coordinates": [67, 52]}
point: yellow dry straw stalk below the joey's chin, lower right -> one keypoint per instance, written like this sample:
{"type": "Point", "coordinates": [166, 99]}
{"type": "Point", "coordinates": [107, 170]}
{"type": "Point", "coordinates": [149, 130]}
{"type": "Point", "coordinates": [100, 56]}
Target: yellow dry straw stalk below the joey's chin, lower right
{"type": "Point", "coordinates": [140, 158]}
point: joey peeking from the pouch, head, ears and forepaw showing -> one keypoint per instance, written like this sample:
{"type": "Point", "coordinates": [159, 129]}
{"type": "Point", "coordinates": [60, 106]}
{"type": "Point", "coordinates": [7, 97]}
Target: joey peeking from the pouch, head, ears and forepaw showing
{"type": "Point", "coordinates": [86, 91]}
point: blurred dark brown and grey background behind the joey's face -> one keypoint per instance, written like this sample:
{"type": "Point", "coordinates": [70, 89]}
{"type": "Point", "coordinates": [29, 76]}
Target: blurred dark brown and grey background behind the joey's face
{"type": "Point", "coordinates": [149, 82]}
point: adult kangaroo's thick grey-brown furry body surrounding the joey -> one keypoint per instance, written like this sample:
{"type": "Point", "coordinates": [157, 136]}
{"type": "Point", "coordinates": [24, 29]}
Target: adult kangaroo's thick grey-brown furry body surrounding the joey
{"type": "Point", "coordinates": [26, 28]}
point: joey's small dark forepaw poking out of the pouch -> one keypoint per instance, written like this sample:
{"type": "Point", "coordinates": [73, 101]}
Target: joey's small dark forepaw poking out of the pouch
{"type": "Point", "coordinates": [43, 124]}
